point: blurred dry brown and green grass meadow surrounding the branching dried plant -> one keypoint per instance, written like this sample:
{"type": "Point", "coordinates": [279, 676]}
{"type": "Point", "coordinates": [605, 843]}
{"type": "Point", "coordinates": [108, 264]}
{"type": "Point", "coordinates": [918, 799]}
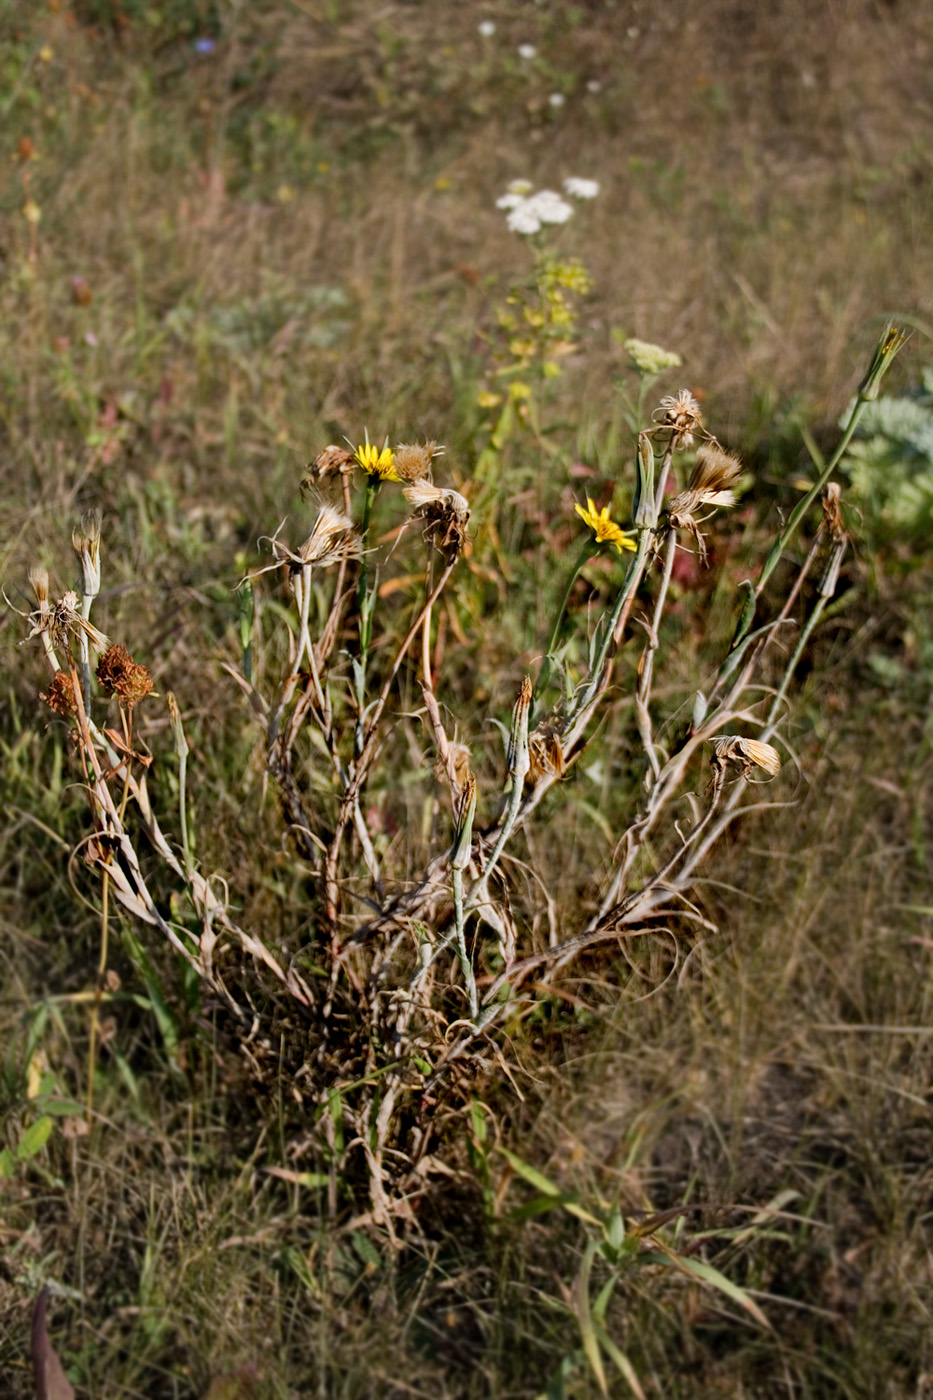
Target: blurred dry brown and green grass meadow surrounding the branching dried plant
{"type": "Point", "coordinates": [233, 233]}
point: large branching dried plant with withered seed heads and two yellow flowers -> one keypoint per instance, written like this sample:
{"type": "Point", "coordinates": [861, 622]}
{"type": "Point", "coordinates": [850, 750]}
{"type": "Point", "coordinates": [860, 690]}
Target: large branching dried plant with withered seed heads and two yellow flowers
{"type": "Point", "coordinates": [413, 979]}
